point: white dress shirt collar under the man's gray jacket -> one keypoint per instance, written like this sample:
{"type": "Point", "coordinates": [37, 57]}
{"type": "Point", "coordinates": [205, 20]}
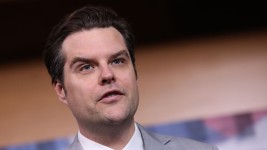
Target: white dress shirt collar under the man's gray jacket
{"type": "Point", "coordinates": [135, 143]}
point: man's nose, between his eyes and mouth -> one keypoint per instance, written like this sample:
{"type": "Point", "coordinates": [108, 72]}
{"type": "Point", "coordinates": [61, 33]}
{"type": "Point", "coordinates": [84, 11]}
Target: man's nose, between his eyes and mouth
{"type": "Point", "coordinates": [106, 75]}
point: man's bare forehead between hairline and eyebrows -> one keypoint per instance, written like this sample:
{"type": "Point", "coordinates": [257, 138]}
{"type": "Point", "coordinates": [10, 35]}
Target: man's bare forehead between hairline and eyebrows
{"type": "Point", "coordinates": [92, 42]}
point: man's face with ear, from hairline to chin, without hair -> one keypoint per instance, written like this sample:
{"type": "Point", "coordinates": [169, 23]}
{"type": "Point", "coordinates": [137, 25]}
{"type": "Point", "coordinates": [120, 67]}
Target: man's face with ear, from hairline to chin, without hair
{"type": "Point", "coordinates": [99, 80]}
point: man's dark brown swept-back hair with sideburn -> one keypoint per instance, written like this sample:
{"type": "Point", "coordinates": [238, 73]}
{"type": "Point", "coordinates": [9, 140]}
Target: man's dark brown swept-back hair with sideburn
{"type": "Point", "coordinates": [85, 18]}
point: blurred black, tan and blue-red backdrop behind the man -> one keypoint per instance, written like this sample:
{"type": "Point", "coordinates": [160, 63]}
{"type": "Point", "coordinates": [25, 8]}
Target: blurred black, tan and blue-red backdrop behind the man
{"type": "Point", "coordinates": [202, 70]}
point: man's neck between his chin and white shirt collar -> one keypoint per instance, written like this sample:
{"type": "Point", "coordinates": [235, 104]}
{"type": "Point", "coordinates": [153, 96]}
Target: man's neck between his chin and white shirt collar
{"type": "Point", "coordinates": [115, 136]}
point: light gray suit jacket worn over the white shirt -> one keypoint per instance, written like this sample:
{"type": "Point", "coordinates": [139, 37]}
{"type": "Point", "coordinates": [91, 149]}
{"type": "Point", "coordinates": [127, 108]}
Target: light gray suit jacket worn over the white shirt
{"type": "Point", "coordinates": [153, 141]}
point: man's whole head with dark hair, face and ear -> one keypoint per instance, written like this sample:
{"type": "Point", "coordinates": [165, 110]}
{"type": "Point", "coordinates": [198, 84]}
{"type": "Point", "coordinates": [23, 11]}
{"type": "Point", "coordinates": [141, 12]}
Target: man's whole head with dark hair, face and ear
{"type": "Point", "coordinates": [90, 58]}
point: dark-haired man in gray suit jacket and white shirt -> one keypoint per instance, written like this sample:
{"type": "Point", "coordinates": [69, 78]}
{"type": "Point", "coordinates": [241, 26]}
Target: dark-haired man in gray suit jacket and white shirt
{"type": "Point", "coordinates": [90, 57]}
